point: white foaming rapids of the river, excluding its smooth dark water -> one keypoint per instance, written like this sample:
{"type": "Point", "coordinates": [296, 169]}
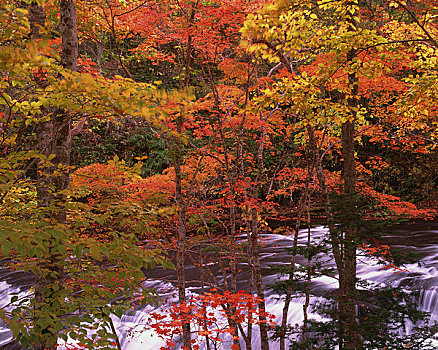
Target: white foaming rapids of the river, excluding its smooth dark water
{"type": "Point", "coordinates": [134, 329]}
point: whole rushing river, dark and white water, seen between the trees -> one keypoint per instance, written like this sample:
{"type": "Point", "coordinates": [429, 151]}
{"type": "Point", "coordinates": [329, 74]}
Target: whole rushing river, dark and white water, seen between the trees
{"type": "Point", "coordinates": [133, 331]}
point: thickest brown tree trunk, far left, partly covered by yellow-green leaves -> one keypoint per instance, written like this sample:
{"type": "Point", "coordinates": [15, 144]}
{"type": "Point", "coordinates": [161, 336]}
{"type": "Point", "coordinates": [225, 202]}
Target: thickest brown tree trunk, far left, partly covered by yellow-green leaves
{"type": "Point", "coordinates": [54, 137]}
